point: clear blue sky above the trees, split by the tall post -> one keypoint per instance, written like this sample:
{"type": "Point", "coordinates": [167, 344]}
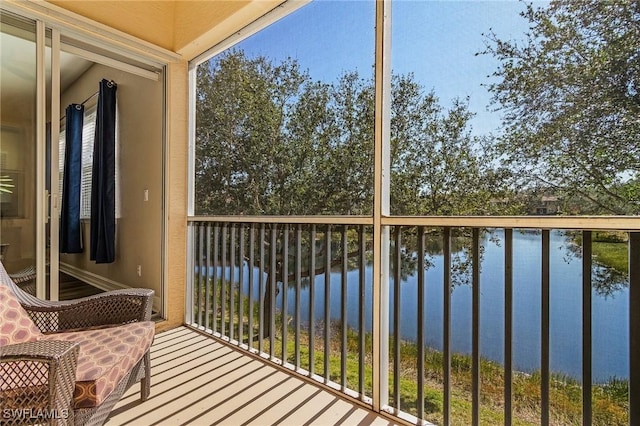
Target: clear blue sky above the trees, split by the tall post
{"type": "Point", "coordinates": [435, 40]}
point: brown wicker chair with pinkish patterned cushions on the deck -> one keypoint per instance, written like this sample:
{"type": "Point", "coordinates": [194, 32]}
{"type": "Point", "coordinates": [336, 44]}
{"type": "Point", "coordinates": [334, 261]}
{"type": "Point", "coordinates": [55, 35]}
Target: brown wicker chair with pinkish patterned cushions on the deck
{"type": "Point", "coordinates": [66, 363]}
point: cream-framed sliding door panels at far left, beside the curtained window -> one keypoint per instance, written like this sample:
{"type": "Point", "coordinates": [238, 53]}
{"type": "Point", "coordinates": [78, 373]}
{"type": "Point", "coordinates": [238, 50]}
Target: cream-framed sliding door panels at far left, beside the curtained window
{"type": "Point", "coordinates": [30, 86]}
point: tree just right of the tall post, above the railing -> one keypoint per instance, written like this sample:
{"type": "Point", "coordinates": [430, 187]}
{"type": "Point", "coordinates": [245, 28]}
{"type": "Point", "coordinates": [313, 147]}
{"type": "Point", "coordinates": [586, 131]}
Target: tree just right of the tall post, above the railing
{"type": "Point", "coordinates": [438, 166]}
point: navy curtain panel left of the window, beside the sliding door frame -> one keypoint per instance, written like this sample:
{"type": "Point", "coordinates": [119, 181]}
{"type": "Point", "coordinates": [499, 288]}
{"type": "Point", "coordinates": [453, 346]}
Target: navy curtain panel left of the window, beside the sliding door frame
{"type": "Point", "coordinates": [70, 232]}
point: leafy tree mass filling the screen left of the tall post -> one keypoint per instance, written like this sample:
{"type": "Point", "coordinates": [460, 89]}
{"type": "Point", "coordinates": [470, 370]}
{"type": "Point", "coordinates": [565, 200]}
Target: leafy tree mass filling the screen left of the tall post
{"type": "Point", "coordinates": [269, 140]}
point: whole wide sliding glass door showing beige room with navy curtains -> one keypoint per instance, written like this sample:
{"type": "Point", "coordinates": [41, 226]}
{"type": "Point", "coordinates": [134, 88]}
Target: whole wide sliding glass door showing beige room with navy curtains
{"type": "Point", "coordinates": [44, 72]}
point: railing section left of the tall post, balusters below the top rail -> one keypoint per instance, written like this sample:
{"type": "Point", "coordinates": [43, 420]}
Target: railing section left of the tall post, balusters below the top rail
{"type": "Point", "coordinates": [238, 293]}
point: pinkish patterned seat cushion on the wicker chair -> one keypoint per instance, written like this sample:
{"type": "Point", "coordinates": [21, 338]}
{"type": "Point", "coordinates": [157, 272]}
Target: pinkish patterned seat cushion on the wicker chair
{"type": "Point", "coordinates": [106, 356]}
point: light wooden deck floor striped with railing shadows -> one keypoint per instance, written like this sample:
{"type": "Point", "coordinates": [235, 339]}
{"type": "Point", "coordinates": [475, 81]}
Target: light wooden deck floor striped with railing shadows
{"type": "Point", "coordinates": [199, 381]}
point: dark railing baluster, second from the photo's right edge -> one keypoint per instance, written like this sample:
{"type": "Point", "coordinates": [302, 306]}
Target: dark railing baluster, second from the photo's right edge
{"type": "Point", "coordinates": [586, 328]}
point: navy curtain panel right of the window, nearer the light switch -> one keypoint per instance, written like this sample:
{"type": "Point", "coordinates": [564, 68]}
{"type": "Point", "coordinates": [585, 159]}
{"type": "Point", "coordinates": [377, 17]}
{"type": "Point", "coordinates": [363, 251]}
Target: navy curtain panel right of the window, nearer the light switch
{"type": "Point", "coordinates": [103, 181]}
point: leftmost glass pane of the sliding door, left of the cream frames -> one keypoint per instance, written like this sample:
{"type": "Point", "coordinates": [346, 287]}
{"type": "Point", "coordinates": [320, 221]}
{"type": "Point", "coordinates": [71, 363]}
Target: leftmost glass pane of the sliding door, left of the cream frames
{"type": "Point", "coordinates": [18, 145]}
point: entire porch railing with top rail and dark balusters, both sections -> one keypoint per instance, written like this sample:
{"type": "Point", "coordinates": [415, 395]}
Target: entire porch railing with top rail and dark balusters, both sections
{"type": "Point", "coordinates": [297, 292]}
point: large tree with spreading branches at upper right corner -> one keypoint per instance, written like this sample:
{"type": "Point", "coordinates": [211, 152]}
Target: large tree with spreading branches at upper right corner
{"type": "Point", "coordinates": [570, 98]}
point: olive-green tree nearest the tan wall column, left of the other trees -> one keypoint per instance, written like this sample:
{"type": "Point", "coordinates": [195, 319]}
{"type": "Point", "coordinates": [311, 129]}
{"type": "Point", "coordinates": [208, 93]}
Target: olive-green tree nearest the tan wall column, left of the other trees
{"type": "Point", "coordinates": [241, 152]}
